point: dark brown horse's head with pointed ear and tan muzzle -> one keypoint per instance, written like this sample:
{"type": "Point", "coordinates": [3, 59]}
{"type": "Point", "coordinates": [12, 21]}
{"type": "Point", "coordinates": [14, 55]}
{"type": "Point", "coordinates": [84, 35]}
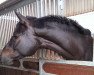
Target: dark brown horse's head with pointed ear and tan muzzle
{"type": "Point", "coordinates": [22, 43]}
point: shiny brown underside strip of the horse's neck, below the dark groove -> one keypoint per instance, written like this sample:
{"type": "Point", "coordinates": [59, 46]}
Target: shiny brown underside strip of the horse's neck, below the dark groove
{"type": "Point", "coordinates": [51, 45]}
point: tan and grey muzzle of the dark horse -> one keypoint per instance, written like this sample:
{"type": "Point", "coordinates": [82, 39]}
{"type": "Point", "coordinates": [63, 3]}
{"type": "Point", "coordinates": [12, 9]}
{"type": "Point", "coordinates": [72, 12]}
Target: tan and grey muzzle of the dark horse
{"type": "Point", "coordinates": [8, 55]}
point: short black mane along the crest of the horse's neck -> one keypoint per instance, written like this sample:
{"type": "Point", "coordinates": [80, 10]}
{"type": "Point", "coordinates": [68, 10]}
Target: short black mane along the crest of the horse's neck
{"type": "Point", "coordinates": [62, 20]}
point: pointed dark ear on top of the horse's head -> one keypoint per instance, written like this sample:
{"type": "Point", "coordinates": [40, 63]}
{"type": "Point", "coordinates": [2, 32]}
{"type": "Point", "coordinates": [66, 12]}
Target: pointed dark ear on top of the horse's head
{"type": "Point", "coordinates": [22, 19]}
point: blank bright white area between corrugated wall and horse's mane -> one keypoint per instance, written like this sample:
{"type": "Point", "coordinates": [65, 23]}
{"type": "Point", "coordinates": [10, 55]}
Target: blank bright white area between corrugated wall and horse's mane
{"type": "Point", "coordinates": [86, 20]}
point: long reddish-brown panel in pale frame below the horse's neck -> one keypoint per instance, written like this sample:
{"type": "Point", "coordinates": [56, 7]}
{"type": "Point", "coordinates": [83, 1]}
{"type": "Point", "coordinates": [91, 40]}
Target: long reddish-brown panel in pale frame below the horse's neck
{"type": "Point", "coordinates": [66, 69]}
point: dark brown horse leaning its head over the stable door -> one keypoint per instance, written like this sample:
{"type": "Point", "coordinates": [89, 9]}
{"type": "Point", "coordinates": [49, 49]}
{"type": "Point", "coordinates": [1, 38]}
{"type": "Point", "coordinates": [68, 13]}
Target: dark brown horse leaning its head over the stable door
{"type": "Point", "coordinates": [60, 34]}
